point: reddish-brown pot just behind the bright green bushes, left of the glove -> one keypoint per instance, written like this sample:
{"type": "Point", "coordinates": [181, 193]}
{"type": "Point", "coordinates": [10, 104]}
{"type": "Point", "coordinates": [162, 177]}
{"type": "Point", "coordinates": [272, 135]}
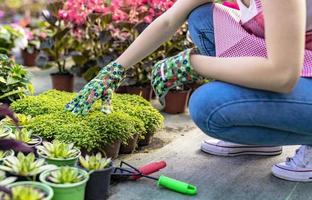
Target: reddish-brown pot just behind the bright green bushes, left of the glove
{"type": "Point", "coordinates": [63, 82]}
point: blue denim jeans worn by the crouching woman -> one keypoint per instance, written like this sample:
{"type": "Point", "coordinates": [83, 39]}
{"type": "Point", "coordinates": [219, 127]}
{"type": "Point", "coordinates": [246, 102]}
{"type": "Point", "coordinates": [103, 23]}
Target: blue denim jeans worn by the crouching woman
{"type": "Point", "coordinates": [242, 115]}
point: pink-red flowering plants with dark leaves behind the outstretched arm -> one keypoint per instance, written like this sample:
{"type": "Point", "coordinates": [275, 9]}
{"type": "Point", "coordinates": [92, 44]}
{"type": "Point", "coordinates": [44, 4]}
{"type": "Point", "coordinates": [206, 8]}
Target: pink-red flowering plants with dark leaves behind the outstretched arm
{"type": "Point", "coordinates": [104, 29]}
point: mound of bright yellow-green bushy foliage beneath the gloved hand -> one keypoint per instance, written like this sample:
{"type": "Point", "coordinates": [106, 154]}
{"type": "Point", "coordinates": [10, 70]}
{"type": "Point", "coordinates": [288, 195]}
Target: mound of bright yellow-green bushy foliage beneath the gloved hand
{"type": "Point", "coordinates": [132, 114]}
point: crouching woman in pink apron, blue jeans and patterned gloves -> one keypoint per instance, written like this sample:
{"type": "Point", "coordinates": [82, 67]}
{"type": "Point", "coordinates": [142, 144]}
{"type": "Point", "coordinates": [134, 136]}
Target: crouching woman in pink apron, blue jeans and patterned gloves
{"type": "Point", "coordinates": [262, 98]}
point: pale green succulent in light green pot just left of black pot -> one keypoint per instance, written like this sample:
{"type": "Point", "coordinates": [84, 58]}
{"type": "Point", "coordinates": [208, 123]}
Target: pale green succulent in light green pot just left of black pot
{"type": "Point", "coordinates": [65, 175]}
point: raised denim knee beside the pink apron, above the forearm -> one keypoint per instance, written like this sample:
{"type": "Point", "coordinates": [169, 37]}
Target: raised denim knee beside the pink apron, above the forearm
{"type": "Point", "coordinates": [200, 22]}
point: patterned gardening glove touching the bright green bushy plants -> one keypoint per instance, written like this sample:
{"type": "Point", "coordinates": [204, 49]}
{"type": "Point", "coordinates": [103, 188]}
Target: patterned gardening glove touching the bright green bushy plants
{"type": "Point", "coordinates": [100, 87]}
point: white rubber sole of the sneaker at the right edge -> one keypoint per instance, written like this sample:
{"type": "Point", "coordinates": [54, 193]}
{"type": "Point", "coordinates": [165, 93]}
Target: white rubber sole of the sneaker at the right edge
{"type": "Point", "coordinates": [292, 175]}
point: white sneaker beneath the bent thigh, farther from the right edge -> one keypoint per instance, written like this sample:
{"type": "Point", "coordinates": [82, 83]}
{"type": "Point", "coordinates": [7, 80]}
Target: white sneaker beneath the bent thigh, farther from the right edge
{"type": "Point", "coordinates": [222, 148]}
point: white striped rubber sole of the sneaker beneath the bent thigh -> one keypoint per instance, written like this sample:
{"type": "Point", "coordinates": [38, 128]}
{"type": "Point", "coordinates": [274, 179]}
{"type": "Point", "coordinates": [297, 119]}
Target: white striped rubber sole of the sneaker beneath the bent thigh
{"type": "Point", "coordinates": [238, 150]}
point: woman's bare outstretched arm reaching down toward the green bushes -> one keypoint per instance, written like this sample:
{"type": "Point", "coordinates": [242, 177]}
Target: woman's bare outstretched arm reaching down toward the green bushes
{"type": "Point", "coordinates": [159, 31]}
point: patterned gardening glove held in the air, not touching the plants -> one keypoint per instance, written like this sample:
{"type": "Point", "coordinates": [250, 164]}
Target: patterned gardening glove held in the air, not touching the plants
{"type": "Point", "coordinates": [172, 72]}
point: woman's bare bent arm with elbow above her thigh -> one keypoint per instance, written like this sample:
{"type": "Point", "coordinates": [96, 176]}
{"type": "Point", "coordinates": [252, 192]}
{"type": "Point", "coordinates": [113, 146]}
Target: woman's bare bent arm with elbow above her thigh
{"type": "Point", "coordinates": [285, 35]}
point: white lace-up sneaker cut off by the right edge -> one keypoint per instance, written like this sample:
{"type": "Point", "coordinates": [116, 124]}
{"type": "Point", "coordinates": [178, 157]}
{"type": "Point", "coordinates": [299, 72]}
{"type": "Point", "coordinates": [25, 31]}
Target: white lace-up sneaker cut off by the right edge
{"type": "Point", "coordinates": [297, 168]}
